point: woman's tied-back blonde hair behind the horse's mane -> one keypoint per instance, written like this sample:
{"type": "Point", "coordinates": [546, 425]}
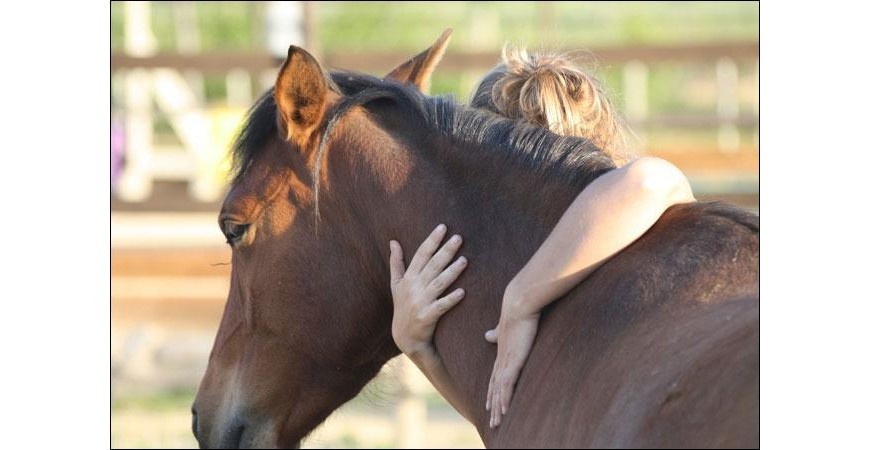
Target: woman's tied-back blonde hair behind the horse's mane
{"type": "Point", "coordinates": [551, 91]}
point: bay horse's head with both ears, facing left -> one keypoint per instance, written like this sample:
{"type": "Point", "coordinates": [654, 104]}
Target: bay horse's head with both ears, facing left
{"type": "Point", "coordinates": [306, 323]}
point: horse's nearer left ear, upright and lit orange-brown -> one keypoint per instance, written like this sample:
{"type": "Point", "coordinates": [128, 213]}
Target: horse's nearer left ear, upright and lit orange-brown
{"type": "Point", "coordinates": [300, 92]}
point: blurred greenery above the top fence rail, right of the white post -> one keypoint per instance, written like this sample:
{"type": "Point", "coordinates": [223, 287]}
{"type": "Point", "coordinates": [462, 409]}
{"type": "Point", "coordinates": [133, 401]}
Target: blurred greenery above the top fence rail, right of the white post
{"type": "Point", "coordinates": [487, 25]}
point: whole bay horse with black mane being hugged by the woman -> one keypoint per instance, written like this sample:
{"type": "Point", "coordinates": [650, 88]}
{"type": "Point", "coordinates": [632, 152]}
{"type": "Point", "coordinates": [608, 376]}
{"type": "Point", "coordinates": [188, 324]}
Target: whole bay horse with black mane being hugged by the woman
{"type": "Point", "coordinates": [659, 347]}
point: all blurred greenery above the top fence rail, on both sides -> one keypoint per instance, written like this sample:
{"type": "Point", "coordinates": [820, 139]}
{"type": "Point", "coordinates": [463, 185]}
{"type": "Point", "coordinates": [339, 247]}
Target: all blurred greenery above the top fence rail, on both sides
{"type": "Point", "coordinates": [410, 26]}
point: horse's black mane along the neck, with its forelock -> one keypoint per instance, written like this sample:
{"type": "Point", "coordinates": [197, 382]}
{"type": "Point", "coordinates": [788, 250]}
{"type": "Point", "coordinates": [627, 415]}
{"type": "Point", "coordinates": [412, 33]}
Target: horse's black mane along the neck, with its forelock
{"type": "Point", "coordinates": [571, 159]}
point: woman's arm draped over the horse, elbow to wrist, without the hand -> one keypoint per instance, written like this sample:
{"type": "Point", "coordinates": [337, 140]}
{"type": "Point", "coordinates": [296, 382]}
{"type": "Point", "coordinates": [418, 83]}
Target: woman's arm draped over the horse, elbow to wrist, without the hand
{"type": "Point", "coordinates": [606, 217]}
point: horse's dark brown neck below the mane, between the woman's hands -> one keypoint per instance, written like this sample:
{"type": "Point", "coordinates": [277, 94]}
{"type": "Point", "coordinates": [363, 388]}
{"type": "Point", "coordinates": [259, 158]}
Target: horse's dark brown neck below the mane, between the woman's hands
{"type": "Point", "coordinates": [504, 212]}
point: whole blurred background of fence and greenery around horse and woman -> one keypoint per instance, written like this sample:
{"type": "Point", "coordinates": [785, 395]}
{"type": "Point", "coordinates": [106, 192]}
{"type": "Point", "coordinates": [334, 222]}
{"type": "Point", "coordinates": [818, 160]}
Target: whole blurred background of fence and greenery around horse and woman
{"type": "Point", "coordinates": [684, 74]}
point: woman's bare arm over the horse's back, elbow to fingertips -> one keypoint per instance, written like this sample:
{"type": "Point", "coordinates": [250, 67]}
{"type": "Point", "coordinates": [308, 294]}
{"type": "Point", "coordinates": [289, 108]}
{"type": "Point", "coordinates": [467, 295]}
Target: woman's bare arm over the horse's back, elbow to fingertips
{"type": "Point", "coordinates": [607, 216]}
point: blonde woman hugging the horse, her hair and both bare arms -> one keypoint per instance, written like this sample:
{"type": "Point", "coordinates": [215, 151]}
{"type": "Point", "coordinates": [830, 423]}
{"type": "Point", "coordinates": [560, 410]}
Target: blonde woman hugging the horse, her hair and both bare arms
{"type": "Point", "coordinates": [553, 92]}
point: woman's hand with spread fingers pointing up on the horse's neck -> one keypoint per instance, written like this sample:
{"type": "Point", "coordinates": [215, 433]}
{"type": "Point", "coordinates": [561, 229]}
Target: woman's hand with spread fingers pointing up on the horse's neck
{"type": "Point", "coordinates": [416, 306]}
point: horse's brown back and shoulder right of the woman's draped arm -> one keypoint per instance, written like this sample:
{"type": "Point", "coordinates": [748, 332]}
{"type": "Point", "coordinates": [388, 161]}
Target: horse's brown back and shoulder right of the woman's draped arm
{"type": "Point", "coordinates": [657, 348]}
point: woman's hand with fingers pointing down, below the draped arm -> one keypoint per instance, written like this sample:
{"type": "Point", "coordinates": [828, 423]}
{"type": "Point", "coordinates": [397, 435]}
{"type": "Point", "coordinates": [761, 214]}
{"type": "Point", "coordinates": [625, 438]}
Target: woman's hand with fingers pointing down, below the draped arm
{"type": "Point", "coordinates": [514, 335]}
